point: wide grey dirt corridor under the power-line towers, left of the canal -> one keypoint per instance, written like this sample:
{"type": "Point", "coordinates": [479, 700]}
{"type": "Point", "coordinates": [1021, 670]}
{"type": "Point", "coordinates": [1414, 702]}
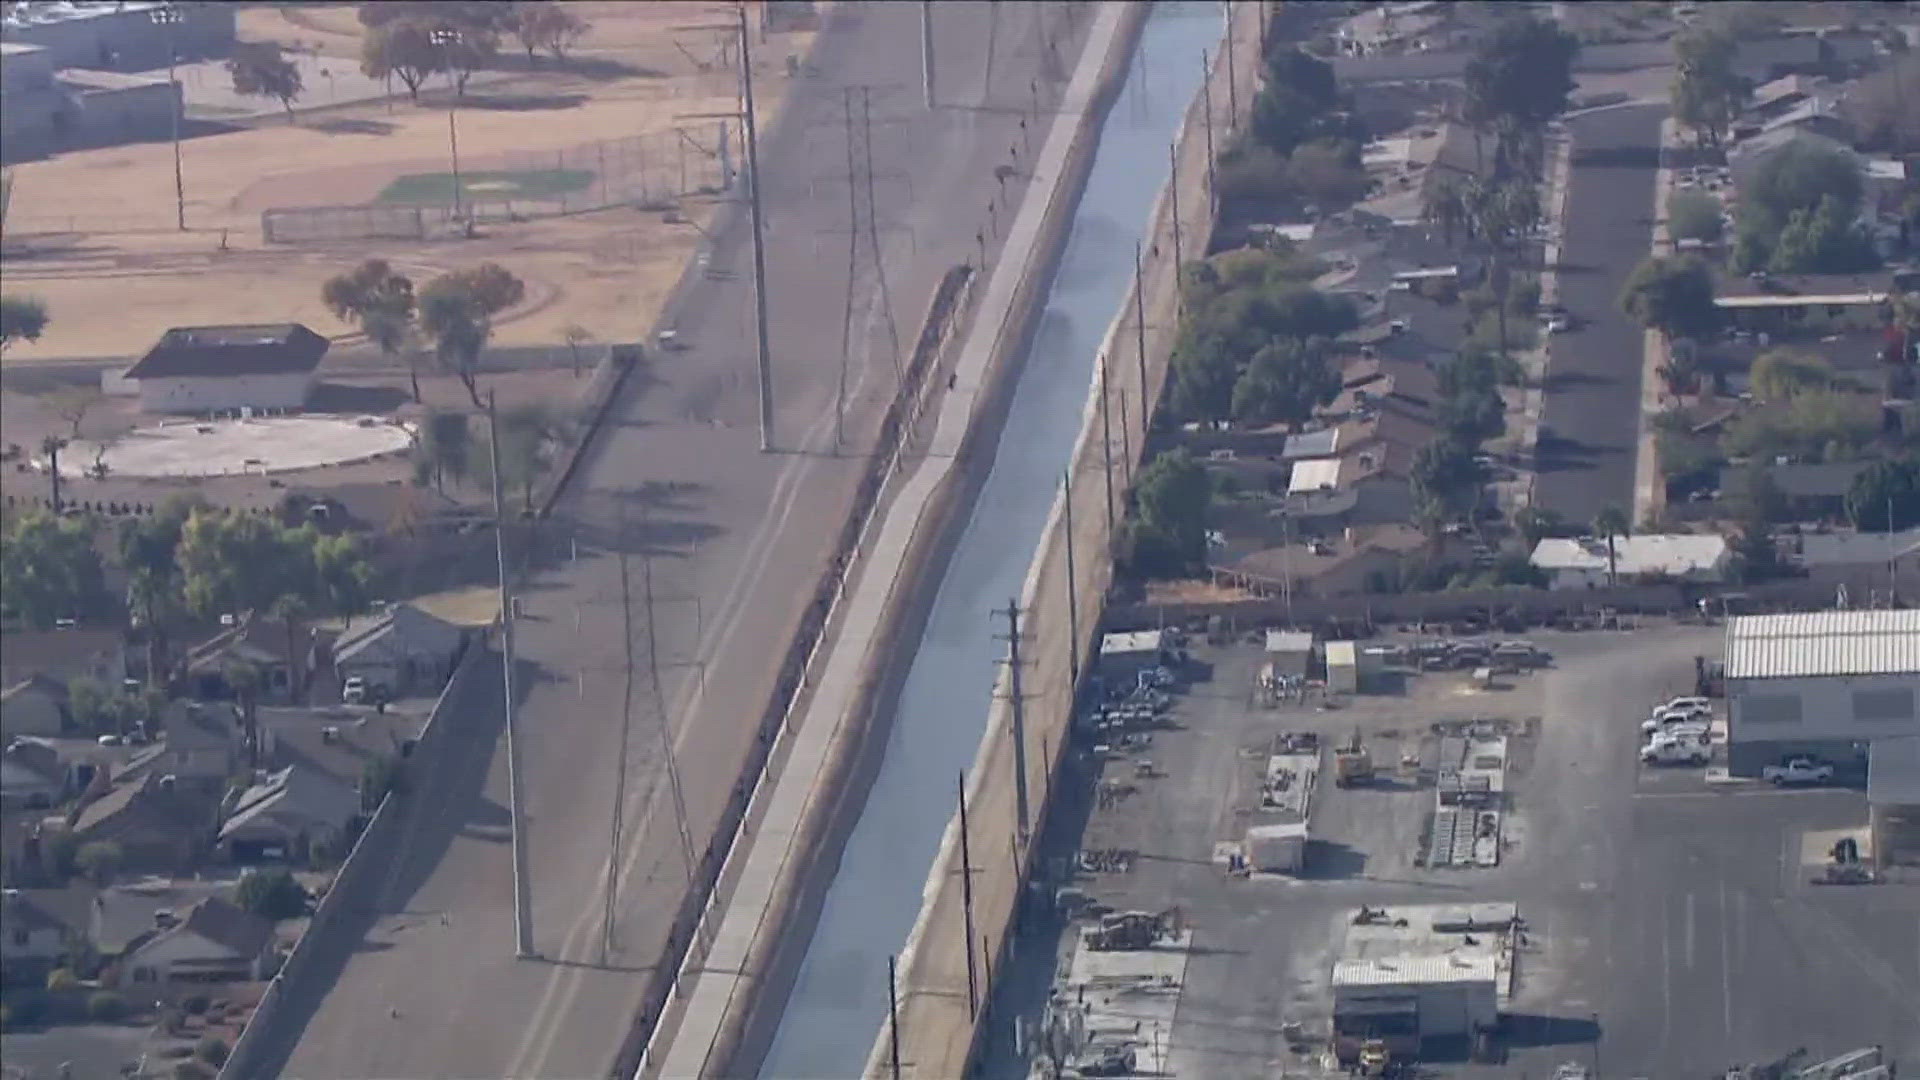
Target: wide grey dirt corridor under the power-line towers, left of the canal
{"type": "Point", "coordinates": [677, 476]}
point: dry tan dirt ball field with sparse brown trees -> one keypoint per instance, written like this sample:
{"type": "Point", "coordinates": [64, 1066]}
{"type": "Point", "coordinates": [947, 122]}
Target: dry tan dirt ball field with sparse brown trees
{"type": "Point", "coordinates": [608, 270]}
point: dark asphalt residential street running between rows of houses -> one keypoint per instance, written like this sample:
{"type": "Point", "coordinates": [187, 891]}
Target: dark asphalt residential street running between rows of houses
{"type": "Point", "coordinates": [1591, 414]}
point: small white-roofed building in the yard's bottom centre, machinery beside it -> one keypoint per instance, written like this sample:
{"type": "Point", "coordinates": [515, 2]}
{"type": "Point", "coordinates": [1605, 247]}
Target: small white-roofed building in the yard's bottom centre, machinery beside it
{"type": "Point", "coordinates": [1424, 973]}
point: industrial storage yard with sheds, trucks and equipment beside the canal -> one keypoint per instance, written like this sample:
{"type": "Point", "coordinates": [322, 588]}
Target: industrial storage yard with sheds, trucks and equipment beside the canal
{"type": "Point", "coordinates": [1289, 854]}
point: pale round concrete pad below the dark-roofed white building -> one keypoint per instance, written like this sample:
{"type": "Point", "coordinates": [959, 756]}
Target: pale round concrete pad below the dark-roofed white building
{"type": "Point", "coordinates": [229, 449]}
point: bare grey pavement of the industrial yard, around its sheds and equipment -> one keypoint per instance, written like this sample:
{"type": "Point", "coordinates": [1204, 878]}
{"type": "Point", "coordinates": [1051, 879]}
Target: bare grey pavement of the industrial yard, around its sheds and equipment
{"type": "Point", "coordinates": [1671, 921]}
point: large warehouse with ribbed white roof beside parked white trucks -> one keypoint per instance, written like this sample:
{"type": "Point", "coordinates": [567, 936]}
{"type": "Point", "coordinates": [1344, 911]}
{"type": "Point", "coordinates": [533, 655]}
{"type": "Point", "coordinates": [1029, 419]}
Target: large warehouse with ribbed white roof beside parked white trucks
{"type": "Point", "coordinates": [1821, 683]}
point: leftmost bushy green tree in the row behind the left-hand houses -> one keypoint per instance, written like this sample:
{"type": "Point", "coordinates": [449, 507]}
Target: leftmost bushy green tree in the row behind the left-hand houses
{"type": "Point", "coordinates": [51, 570]}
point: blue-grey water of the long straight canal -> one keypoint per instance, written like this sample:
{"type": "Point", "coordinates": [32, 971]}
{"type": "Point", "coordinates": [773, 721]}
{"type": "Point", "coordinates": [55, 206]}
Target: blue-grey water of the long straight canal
{"type": "Point", "coordinates": [838, 1002]}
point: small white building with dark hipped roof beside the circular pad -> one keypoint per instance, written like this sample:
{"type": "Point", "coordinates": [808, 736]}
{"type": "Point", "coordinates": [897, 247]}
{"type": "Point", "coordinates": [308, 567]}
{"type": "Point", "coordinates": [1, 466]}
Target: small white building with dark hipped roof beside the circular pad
{"type": "Point", "coordinates": [206, 370]}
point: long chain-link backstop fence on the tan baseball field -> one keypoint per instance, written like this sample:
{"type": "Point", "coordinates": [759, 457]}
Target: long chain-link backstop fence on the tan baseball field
{"type": "Point", "coordinates": [640, 170]}
